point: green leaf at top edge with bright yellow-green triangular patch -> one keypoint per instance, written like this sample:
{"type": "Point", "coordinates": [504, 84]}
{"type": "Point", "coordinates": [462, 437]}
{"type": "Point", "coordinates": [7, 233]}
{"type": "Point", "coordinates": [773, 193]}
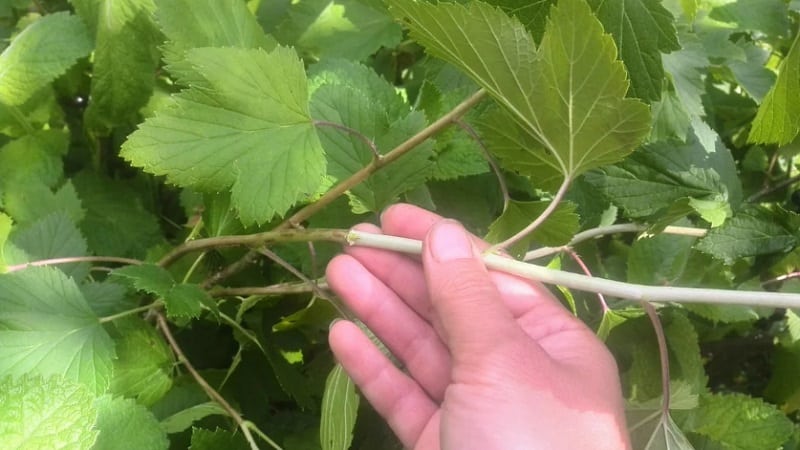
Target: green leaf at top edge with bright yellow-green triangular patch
{"type": "Point", "coordinates": [352, 29]}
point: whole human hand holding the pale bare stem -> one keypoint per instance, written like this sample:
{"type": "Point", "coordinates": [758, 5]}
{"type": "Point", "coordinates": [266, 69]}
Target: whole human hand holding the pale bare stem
{"type": "Point", "coordinates": [491, 361]}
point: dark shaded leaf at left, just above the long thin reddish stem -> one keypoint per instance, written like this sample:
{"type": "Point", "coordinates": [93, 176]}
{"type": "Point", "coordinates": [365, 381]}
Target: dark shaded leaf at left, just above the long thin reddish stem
{"type": "Point", "coordinates": [116, 222]}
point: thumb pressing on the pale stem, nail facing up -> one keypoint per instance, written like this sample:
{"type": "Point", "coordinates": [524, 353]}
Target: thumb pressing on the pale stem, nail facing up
{"type": "Point", "coordinates": [472, 314]}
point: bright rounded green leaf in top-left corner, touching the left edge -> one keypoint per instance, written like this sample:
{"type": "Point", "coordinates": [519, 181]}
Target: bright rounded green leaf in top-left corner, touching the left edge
{"type": "Point", "coordinates": [42, 52]}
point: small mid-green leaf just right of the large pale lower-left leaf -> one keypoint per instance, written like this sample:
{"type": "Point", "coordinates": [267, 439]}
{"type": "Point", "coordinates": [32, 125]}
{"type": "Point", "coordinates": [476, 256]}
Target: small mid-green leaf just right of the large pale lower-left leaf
{"type": "Point", "coordinates": [144, 363]}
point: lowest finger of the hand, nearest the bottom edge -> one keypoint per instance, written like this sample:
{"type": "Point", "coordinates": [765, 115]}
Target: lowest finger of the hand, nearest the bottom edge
{"type": "Point", "coordinates": [396, 397]}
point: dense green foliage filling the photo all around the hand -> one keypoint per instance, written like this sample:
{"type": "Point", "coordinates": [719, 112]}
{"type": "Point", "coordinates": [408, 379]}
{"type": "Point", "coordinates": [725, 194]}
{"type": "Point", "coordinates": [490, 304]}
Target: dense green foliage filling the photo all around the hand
{"type": "Point", "coordinates": [148, 150]}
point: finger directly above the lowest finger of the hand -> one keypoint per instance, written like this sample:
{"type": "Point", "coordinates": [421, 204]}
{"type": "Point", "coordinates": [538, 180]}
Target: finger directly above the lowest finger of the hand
{"type": "Point", "coordinates": [408, 336]}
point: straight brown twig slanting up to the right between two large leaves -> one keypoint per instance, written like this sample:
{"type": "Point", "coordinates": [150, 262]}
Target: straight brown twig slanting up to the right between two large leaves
{"type": "Point", "coordinates": [355, 179]}
